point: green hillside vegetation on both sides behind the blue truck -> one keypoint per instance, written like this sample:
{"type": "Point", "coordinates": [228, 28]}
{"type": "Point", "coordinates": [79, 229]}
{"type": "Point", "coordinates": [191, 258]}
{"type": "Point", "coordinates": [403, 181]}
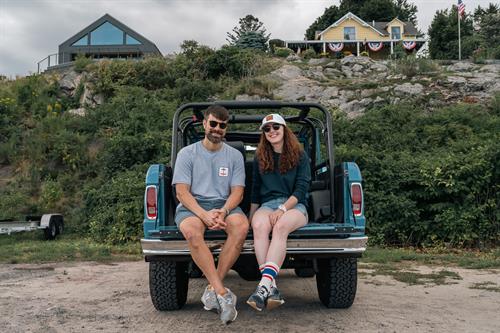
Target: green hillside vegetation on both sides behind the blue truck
{"type": "Point", "coordinates": [431, 174]}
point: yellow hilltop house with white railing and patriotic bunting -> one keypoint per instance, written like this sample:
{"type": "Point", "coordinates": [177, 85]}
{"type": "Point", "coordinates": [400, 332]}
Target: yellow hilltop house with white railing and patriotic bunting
{"type": "Point", "coordinates": [350, 34]}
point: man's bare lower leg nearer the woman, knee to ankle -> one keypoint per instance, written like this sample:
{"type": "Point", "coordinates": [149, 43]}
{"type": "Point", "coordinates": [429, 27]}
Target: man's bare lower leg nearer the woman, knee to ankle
{"type": "Point", "coordinates": [236, 229]}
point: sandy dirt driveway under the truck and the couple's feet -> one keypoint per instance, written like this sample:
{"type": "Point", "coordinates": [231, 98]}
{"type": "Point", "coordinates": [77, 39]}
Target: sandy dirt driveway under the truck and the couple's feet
{"type": "Point", "coordinates": [90, 297]}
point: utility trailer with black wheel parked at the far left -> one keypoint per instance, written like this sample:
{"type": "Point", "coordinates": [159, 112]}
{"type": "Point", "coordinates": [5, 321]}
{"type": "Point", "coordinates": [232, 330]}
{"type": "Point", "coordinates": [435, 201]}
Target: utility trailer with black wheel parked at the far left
{"type": "Point", "coordinates": [51, 224]}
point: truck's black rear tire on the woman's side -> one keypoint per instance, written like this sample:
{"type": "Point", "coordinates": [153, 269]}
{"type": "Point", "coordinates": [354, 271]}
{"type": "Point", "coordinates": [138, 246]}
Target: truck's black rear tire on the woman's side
{"type": "Point", "coordinates": [337, 281]}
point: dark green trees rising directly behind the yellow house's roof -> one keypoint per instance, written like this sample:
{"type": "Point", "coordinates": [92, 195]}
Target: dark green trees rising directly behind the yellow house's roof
{"type": "Point", "coordinates": [368, 10]}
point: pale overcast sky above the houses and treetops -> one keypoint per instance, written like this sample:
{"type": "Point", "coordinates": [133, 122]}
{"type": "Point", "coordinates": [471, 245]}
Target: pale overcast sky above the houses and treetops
{"type": "Point", "coordinates": [32, 29]}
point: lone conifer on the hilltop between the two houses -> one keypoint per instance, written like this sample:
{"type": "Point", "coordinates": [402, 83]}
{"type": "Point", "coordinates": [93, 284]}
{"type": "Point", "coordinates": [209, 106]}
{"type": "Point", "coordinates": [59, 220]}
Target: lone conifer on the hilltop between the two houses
{"type": "Point", "coordinates": [249, 34]}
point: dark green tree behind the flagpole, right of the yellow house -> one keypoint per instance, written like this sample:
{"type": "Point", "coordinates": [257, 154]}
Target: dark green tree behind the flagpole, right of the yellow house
{"type": "Point", "coordinates": [443, 34]}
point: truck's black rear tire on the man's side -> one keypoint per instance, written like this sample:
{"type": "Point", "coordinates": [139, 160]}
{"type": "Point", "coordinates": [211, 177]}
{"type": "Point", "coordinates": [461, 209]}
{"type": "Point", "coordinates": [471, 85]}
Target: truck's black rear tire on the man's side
{"type": "Point", "coordinates": [168, 284]}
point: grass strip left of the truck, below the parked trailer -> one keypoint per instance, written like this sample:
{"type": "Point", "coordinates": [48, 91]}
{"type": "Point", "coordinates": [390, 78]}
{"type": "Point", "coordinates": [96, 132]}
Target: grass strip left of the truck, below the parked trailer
{"type": "Point", "coordinates": [32, 248]}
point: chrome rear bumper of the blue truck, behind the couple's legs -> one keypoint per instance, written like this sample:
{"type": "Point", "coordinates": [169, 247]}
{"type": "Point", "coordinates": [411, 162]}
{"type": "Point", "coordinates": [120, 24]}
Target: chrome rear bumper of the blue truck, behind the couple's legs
{"type": "Point", "coordinates": [351, 245]}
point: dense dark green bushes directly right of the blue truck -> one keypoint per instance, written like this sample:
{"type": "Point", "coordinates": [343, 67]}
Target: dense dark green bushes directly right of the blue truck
{"type": "Point", "coordinates": [429, 179]}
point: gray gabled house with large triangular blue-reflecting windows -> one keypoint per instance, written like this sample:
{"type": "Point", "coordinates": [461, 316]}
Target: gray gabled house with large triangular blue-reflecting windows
{"type": "Point", "coordinates": [106, 38]}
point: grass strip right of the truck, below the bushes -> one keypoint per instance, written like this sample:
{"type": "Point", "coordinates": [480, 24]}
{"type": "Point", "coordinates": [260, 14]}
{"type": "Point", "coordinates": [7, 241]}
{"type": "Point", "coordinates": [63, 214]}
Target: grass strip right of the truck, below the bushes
{"type": "Point", "coordinates": [472, 259]}
